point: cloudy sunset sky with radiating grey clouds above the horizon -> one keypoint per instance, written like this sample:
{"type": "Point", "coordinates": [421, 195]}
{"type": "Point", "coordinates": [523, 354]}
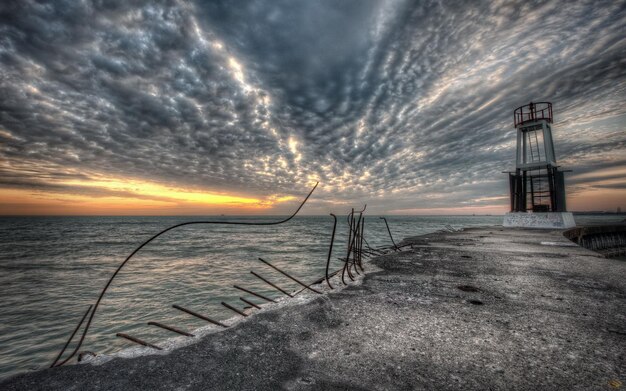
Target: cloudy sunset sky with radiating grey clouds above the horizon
{"type": "Point", "coordinates": [211, 107]}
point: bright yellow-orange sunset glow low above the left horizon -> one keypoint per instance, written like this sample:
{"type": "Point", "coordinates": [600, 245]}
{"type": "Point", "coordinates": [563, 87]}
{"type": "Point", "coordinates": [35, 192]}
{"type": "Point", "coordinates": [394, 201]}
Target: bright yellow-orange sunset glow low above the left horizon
{"type": "Point", "coordinates": [117, 196]}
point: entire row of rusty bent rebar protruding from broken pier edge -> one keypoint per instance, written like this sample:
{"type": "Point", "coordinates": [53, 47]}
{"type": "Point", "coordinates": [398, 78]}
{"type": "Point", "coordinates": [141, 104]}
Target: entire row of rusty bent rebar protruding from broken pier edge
{"type": "Point", "coordinates": [352, 265]}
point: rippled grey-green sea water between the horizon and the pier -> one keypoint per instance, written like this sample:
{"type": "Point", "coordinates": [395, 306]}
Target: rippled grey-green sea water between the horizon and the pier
{"type": "Point", "coordinates": [53, 268]}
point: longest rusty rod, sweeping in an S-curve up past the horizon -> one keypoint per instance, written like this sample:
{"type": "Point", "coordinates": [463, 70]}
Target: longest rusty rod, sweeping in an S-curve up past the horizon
{"type": "Point", "coordinates": [106, 287]}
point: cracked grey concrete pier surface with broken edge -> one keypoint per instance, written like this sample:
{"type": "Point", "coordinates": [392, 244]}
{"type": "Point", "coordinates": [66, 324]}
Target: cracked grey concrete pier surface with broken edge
{"type": "Point", "coordinates": [491, 308]}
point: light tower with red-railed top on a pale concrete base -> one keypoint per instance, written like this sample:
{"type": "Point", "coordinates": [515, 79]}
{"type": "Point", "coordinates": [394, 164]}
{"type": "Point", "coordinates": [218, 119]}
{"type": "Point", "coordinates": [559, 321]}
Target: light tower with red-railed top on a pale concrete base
{"type": "Point", "coordinates": [537, 186]}
